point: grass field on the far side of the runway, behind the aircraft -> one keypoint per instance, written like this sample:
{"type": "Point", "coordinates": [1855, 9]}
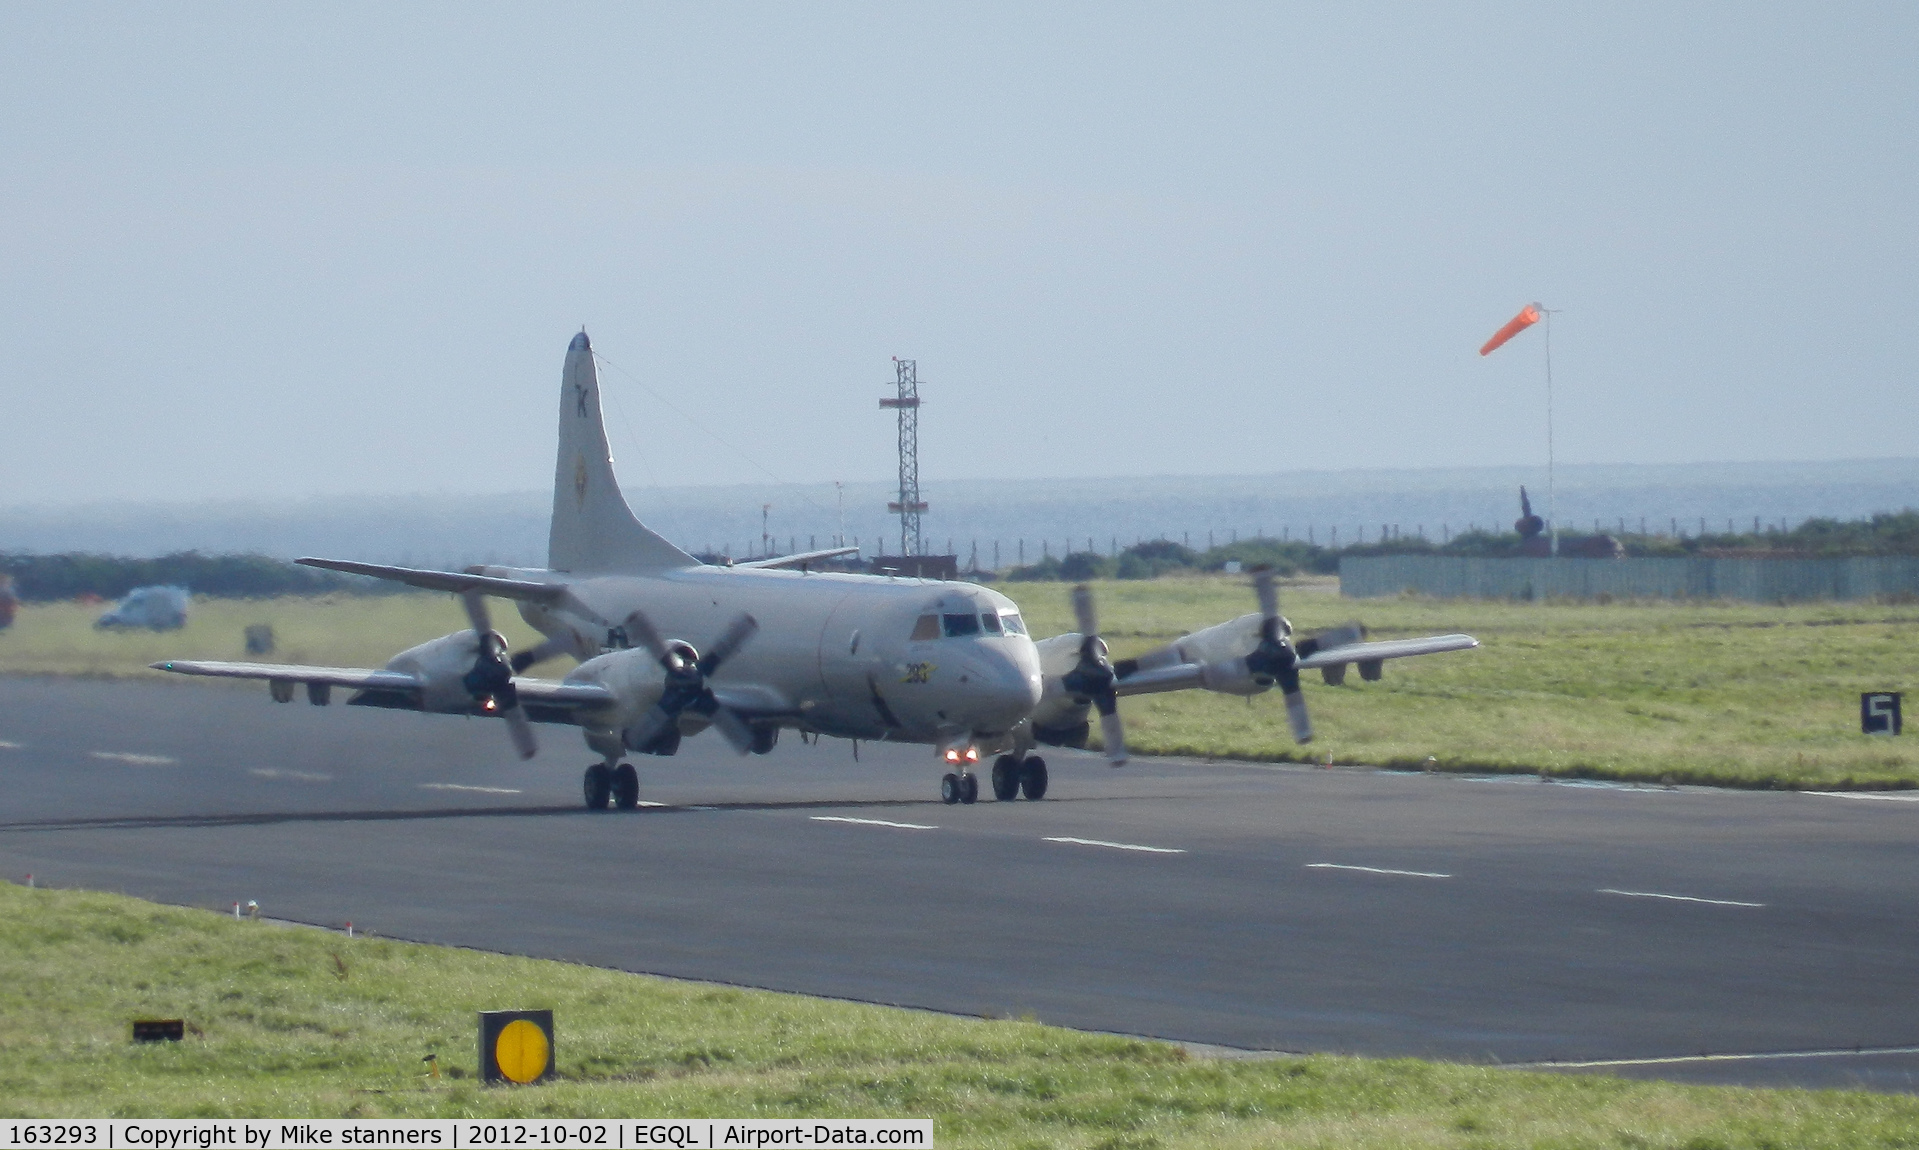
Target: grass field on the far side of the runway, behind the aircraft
{"type": "Point", "coordinates": [1722, 694]}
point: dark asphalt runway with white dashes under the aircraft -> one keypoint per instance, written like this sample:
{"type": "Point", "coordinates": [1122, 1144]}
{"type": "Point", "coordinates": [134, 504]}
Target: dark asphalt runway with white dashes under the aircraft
{"type": "Point", "coordinates": [1250, 907]}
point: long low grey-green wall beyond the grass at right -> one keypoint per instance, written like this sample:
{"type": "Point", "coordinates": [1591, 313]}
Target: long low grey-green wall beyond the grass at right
{"type": "Point", "coordinates": [1763, 581]}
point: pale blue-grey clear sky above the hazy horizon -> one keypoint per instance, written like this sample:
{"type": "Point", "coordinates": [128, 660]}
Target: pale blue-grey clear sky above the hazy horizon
{"type": "Point", "coordinates": [279, 252]}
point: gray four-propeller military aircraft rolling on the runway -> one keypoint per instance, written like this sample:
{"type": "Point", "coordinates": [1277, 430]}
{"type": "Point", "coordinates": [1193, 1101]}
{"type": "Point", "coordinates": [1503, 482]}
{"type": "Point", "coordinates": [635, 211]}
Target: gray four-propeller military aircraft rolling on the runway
{"type": "Point", "coordinates": [671, 646]}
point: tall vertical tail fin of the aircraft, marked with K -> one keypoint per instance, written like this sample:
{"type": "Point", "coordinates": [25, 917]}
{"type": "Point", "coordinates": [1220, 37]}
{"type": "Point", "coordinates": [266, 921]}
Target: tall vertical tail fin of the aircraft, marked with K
{"type": "Point", "coordinates": [594, 531]}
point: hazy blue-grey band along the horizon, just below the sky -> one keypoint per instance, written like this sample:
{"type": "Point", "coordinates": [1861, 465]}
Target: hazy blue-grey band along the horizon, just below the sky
{"type": "Point", "coordinates": [458, 529]}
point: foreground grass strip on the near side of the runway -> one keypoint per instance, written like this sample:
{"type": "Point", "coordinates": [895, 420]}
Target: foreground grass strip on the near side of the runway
{"type": "Point", "coordinates": [293, 1022]}
